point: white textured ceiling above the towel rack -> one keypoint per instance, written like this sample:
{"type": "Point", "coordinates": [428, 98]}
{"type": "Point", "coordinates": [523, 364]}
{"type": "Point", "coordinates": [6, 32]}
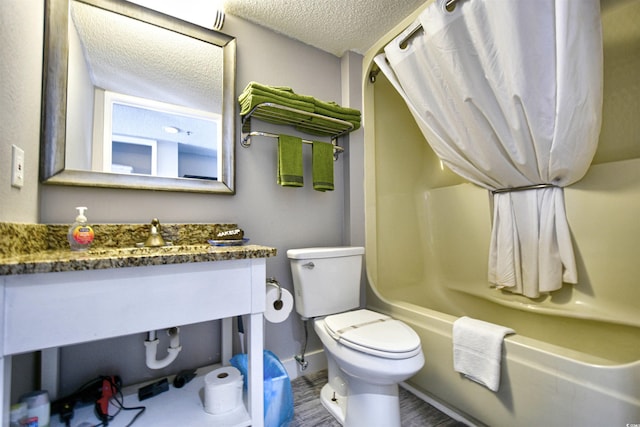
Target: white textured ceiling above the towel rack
{"type": "Point", "coordinates": [335, 26]}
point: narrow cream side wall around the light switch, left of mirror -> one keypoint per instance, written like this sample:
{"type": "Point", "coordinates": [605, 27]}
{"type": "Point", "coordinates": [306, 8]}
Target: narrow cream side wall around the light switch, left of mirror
{"type": "Point", "coordinates": [21, 27]}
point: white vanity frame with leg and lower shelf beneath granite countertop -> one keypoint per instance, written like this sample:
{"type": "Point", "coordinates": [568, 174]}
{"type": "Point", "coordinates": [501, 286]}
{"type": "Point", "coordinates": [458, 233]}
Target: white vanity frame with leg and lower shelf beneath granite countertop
{"type": "Point", "coordinates": [225, 288]}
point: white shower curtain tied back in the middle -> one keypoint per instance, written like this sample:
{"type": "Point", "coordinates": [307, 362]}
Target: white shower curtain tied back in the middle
{"type": "Point", "coordinates": [509, 94]}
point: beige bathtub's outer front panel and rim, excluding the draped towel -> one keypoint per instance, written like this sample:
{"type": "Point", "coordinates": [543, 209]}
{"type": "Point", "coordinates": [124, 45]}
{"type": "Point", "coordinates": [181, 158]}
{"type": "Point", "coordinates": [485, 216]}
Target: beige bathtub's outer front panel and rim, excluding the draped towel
{"type": "Point", "coordinates": [541, 384]}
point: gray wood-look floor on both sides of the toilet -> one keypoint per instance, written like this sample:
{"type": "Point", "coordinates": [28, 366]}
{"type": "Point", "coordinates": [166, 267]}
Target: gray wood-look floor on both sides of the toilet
{"type": "Point", "coordinates": [309, 412]}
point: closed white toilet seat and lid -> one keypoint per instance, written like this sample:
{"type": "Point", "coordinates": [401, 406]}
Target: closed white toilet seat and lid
{"type": "Point", "coordinates": [373, 333]}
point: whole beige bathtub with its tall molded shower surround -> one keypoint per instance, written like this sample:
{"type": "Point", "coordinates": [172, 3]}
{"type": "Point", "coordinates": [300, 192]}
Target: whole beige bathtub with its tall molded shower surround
{"type": "Point", "coordinates": [575, 357]}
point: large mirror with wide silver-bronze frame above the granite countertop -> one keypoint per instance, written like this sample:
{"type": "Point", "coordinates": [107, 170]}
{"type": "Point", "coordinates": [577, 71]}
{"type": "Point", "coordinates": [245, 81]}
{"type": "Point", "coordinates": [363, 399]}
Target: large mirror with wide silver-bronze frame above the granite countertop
{"type": "Point", "coordinates": [133, 98]}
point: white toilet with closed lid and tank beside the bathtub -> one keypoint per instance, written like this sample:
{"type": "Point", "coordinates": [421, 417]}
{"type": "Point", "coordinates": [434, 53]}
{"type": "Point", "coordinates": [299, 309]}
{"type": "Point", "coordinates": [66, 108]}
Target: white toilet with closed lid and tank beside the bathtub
{"type": "Point", "coordinates": [368, 353]}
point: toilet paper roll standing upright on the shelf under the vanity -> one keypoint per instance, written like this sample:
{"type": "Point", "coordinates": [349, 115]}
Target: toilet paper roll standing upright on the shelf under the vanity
{"type": "Point", "coordinates": [222, 390]}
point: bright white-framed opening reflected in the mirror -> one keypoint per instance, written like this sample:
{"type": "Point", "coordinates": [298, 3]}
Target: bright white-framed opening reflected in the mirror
{"type": "Point", "coordinates": [181, 142]}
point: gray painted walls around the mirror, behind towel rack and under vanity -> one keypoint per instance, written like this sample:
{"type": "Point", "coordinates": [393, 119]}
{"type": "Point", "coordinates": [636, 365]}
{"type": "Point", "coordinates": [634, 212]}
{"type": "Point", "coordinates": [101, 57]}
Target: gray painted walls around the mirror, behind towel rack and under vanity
{"type": "Point", "coordinates": [270, 215]}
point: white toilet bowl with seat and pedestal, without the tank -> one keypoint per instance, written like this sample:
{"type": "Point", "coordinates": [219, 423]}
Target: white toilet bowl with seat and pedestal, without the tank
{"type": "Point", "coordinates": [363, 379]}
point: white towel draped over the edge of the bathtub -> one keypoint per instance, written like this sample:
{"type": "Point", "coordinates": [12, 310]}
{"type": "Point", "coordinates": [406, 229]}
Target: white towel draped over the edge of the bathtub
{"type": "Point", "coordinates": [477, 350]}
